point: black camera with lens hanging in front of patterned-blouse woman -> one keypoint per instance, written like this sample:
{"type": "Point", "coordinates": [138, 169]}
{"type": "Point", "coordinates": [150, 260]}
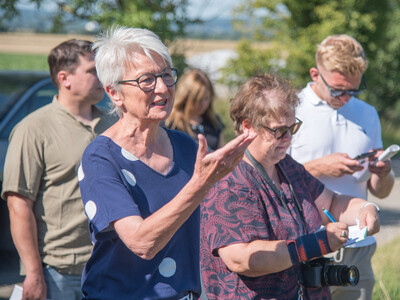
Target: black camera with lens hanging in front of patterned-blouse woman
{"type": "Point", "coordinates": [322, 272]}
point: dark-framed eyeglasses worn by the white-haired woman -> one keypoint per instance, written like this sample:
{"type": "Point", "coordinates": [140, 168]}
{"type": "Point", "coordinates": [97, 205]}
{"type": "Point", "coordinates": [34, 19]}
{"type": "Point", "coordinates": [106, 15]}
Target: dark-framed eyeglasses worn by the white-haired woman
{"type": "Point", "coordinates": [147, 82]}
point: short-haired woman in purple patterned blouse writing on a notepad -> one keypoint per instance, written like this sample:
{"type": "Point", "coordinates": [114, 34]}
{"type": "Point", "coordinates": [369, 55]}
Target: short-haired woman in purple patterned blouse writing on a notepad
{"type": "Point", "coordinates": [260, 222]}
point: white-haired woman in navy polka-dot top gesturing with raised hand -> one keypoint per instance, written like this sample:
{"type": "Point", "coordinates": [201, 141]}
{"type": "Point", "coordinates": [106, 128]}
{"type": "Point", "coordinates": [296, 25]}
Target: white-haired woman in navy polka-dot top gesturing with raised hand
{"type": "Point", "coordinates": [142, 184]}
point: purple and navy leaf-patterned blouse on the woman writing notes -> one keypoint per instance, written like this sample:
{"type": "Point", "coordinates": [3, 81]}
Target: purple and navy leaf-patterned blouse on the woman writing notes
{"type": "Point", "coordinates": [237, 210]}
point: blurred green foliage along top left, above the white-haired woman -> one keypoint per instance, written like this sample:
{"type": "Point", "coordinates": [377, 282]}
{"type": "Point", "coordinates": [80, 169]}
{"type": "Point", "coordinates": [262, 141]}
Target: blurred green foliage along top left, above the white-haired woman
{"type": "Point", "coordinates": [167, 18]}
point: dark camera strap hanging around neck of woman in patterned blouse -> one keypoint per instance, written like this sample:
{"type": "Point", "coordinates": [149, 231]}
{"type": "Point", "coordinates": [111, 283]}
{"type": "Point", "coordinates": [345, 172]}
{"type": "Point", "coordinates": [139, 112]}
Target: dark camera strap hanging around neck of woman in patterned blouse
{"type": "Point", "coordinates": [260, 168]}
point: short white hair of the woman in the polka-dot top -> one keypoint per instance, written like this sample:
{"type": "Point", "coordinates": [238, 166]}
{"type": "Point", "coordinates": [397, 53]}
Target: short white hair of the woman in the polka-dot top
{"type": "Point", "coordinates": [116, 48]}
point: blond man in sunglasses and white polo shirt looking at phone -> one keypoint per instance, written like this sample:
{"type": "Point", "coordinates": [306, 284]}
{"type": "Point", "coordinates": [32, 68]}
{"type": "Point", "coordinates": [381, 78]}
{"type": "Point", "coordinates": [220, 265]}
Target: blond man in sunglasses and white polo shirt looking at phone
{"type": "Point", "coordinates": [336, 128]}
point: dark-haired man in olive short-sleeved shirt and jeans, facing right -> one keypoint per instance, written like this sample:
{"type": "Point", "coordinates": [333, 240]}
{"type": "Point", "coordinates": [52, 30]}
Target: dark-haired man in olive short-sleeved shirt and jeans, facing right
{"type": "Point", "coordinates": [48, 224]}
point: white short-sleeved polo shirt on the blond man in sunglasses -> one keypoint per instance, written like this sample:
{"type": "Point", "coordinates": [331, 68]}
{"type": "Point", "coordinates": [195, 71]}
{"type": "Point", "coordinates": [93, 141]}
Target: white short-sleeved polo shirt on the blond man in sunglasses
{"type": "Point", "coordinates": [353, 129]}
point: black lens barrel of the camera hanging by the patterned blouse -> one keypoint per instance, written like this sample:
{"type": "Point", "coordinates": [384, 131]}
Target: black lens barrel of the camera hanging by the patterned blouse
{"type": "Point", "coordinates": [341, 275]}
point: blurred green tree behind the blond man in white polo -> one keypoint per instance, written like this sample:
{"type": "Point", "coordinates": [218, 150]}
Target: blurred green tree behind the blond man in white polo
{"type": "Point", "coordinates": [293, 28]}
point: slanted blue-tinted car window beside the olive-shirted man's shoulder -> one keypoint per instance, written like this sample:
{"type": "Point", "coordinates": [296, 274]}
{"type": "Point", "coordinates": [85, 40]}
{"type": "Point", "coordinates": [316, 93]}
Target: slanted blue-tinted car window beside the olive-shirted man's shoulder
{"type": "Point", "coordinates": [40, 98]}
